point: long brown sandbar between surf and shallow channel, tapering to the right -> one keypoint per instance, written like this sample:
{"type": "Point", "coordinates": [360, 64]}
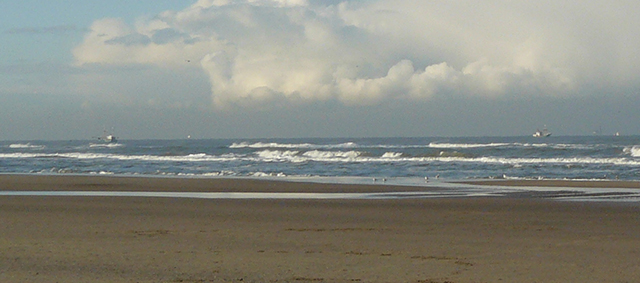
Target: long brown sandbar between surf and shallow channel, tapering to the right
{"type": "Point", "coordinates": [32, 182]}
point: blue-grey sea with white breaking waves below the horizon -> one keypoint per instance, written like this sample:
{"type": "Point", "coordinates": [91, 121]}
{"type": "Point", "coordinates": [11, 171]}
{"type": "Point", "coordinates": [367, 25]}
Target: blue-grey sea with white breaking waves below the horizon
{"type": "Point", "coordinates": [457, 158]}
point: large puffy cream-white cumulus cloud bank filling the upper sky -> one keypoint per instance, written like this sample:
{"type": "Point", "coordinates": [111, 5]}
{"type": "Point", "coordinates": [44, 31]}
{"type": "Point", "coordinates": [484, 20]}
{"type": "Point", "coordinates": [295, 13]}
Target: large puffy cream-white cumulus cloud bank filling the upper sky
{"type": "Point", "coordinates": [256, 52]}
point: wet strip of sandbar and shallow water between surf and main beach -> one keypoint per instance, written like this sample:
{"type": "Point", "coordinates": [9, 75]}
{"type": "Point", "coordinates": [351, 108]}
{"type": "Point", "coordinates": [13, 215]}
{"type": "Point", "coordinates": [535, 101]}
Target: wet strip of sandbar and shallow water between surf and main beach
{"type": "Point", "coordinates": [312, 188]}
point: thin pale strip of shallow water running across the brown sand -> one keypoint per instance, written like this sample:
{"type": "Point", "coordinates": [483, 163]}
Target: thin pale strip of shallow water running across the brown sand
{"type": "Point", "coordinates": [432, 189]}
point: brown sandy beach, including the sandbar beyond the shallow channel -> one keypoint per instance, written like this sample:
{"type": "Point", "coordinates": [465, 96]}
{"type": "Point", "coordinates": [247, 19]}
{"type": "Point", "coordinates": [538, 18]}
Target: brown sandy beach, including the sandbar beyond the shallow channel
{"type": "Point", "coordinates": [145, 239]}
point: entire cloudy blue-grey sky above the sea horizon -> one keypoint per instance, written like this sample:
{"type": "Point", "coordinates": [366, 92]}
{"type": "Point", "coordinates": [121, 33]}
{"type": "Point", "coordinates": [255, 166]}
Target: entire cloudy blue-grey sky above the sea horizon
{"type": "Point", "coordinates": [168, 69]}
